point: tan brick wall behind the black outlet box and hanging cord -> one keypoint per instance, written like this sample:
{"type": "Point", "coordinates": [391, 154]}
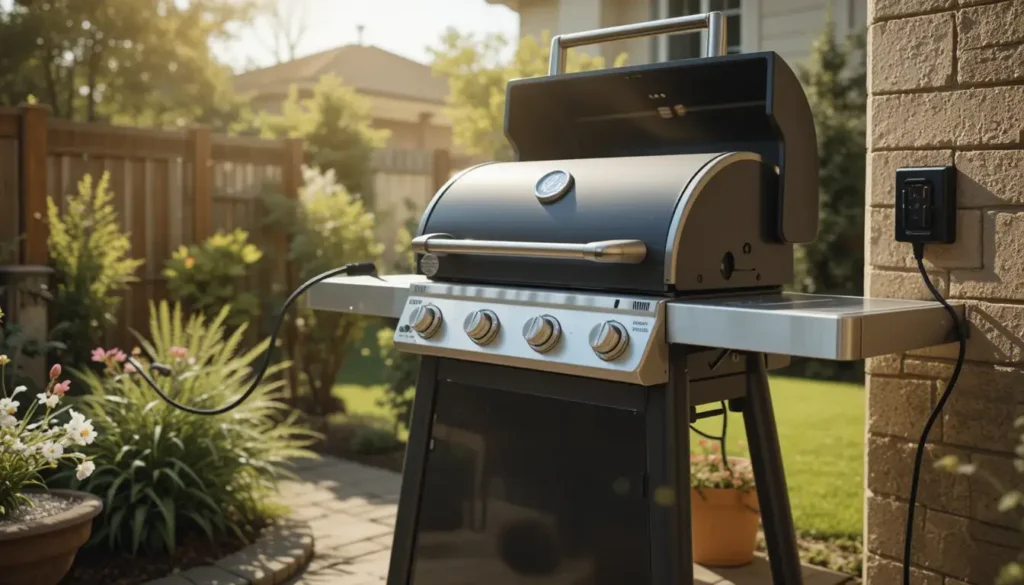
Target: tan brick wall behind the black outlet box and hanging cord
{"type": "Point", "coordinates": [947, 79]}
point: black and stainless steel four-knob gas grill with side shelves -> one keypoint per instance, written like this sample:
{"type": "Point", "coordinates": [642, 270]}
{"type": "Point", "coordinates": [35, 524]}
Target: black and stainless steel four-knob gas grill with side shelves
{"type": "Point", "coordinates": [574, 309]}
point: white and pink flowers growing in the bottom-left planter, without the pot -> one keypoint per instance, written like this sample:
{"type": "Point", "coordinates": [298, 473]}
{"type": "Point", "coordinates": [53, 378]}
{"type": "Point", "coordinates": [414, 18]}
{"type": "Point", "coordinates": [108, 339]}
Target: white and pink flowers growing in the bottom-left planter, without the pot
{"type": "Point", "coordinates": [36, 441]}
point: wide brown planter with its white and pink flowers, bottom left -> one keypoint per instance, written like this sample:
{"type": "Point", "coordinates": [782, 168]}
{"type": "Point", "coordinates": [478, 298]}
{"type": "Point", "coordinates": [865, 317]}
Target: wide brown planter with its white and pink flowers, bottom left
{"type": "Point", "coordinates": [41, 531]}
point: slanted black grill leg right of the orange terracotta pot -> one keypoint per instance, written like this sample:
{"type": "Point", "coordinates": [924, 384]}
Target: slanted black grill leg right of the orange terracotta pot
{"type": "Point", "coordinates": [781, 537]}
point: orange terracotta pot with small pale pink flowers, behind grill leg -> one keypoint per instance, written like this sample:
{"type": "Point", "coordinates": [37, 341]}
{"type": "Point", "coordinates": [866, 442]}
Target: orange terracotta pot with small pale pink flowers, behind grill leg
{"type": "Point", "coordinates": [724, 504]}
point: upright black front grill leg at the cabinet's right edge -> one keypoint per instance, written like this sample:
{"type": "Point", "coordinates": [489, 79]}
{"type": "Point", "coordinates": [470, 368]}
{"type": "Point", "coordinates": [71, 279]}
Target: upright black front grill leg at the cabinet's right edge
{"type": "Point", "coordinates": [669, 476]}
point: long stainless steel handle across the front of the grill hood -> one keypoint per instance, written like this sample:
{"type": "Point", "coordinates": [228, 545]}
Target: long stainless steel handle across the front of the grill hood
{"type": "Point", "coordinates": [608, 252]}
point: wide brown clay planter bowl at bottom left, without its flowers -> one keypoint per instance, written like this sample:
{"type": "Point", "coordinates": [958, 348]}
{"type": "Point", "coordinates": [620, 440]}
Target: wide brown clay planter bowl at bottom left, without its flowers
{"type": "Point", "coordinates": [40, 552]}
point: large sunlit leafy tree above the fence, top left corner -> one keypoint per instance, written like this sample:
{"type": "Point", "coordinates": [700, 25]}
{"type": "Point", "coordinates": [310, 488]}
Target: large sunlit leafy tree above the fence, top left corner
{"type": "Point", "coordinates": [144, 62]}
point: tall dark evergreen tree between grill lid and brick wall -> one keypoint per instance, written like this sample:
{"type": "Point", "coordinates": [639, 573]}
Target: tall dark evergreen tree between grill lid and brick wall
{"type": "Point", "coordinates": [836, 86]}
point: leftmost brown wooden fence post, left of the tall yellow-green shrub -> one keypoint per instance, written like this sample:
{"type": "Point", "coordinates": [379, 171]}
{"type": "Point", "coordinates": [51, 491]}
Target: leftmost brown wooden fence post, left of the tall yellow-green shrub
{"type": "Point", "coordinates": [32, 153]}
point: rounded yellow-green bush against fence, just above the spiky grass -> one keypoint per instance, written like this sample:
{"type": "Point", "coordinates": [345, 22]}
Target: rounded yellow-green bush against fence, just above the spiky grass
{"type": "Point", "coordinates": [207, 277]}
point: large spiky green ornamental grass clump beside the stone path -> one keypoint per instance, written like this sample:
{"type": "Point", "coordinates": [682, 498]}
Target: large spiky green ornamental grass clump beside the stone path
{"type": "Point", "coordinates": [164, 473]}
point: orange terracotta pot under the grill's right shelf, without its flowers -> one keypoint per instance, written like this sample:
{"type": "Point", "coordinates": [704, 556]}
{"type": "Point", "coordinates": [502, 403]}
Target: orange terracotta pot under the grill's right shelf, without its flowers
{"type": "Point", "coordinates": [726, 526]}
